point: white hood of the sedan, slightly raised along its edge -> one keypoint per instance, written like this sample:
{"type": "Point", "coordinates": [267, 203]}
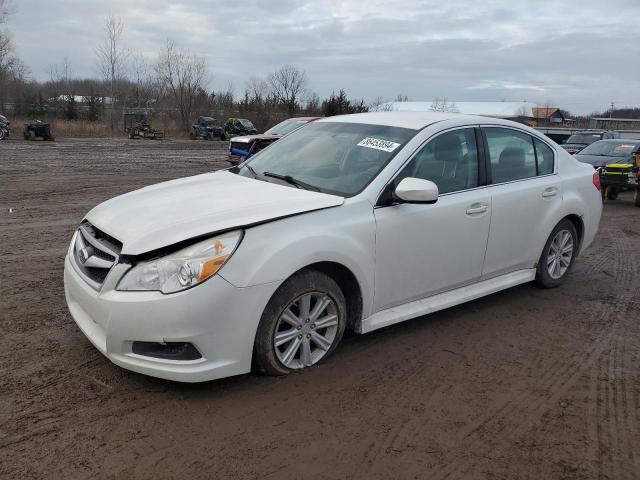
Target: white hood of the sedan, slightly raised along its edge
{"type": "Point", "coordinates": [167, 213]}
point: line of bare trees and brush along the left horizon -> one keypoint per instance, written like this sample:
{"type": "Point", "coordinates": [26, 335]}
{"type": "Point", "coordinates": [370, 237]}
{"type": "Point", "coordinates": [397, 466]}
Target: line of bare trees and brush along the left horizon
{"type": "Point", "coordinates": [174, 84]}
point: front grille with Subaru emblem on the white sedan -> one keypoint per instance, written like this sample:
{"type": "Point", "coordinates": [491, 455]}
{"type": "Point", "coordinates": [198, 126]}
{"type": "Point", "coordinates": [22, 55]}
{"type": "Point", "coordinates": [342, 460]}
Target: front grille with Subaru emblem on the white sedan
{"type": "Point", "coordinates": [94, 253]}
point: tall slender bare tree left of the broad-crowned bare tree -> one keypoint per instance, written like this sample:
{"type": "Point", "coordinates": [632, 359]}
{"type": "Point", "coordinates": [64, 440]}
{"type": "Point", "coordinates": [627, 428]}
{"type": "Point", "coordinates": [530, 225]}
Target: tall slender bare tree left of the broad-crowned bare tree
{"type": "Point", "coordinates": [112, 59]}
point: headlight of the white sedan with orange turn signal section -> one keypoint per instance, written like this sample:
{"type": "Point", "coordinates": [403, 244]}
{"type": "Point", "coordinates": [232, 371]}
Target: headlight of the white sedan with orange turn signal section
{"type": "Point", "coordinates": [184, 268]}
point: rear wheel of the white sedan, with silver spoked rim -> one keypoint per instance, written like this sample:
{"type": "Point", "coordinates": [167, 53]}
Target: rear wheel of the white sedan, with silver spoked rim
{"type": "Point", "coordinates": [549, 274]}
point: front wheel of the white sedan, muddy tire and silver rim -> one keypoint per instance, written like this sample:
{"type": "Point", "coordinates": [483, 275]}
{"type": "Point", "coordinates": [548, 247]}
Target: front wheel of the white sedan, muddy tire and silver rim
{"type": "Point", "coordinates": [270, 359]}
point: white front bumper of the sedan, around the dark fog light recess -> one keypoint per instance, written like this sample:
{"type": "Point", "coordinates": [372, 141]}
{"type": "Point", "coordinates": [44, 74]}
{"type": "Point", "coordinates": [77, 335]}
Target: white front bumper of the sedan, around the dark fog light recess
{"type": "Point", "coordinates": [220, 320]}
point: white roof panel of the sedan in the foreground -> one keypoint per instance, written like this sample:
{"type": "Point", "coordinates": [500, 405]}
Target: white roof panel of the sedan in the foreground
{"type": "Point", "coordinates": [414, 120]}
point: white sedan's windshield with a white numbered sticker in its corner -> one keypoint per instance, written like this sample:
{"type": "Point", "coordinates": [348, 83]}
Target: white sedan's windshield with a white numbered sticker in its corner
{"type": "Point", "coordinates": [338, 158]}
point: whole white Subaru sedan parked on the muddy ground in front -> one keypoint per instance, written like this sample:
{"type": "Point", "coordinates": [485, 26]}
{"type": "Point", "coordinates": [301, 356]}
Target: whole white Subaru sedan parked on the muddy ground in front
{"type": "Point", "coordinates": [357, 221]}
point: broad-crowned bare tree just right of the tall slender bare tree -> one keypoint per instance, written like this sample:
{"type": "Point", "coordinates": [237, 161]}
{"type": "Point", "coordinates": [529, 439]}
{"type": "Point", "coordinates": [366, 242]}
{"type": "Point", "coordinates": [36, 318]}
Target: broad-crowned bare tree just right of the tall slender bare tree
{"type": "Point", "coordinates": [184, 77]}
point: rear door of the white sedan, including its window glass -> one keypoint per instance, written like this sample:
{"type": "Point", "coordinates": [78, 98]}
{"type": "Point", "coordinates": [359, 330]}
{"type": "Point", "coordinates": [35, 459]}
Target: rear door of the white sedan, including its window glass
{"type": "Point", "coordinates": [525, 196]}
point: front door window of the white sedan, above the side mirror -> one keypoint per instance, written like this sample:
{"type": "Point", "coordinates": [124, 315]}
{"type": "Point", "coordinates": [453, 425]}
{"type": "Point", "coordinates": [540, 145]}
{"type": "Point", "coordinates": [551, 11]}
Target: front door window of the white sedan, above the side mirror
{"type": "Point", "coordinates": [450, 161]}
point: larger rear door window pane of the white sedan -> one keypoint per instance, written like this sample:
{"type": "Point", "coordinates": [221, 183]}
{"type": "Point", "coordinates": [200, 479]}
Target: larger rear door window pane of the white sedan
{"type": "Point", "coordinates": [511, 153]}
